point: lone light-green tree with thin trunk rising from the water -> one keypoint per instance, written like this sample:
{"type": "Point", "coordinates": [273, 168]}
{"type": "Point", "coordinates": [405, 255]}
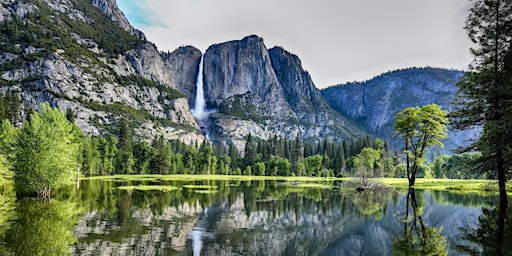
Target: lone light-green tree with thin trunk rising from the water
{"type": "Point", "coordinates": [420, 128]}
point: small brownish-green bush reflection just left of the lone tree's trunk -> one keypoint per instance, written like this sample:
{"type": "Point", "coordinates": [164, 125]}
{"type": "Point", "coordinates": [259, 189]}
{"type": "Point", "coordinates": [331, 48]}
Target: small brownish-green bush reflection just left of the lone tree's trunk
{"type": "Point", "coordinates": [372, 202]}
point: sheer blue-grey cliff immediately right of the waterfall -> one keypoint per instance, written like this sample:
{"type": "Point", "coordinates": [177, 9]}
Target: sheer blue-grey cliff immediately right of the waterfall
{"type": "Point", "coordinates": [265, 93]}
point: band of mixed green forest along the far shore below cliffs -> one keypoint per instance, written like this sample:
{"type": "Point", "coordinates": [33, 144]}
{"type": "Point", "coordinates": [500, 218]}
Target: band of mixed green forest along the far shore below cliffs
{"type": "Point", "coordinates": [121, 153]}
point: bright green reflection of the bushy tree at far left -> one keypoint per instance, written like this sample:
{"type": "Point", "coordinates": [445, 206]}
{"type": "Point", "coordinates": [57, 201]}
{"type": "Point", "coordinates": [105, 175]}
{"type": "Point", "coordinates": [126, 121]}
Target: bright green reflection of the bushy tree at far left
{"type": "Point", "coordinates": [42, 228]}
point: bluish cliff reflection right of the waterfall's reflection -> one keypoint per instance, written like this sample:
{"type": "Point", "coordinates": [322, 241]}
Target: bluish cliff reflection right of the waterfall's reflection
{"type": "Point", "coordinates": [342, 230]}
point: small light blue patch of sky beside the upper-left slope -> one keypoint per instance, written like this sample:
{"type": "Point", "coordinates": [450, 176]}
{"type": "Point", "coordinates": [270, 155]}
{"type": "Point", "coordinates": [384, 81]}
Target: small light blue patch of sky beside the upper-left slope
{"type": "Point", "coordinates": [141, 14]}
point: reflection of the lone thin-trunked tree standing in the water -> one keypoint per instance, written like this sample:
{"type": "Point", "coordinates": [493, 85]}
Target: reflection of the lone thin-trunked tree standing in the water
{"type": "Point", "coordinates": [418, 239]}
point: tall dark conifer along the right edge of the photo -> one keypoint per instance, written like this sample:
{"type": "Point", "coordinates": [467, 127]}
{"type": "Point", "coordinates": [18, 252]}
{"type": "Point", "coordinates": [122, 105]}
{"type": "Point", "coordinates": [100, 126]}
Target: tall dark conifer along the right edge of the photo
{"type": "Point", "coordinates": [485, 96]}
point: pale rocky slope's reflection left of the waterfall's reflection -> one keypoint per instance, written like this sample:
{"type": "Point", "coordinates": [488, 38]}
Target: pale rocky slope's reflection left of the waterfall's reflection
{"type": "Point", "coordinates": [143, 233]}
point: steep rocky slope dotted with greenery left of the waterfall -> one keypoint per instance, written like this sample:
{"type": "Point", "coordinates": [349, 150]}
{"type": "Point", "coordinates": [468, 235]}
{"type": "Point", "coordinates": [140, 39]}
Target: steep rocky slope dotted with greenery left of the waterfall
{"type": "Point", "coordinates": [51, 51]}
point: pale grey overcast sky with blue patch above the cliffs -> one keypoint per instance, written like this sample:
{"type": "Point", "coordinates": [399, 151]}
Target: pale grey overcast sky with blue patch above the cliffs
{"type": "Point", "coordinates": [338, 41]}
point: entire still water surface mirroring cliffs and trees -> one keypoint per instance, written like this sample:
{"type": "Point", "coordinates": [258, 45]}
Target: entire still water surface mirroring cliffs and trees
{"type": "Point", "coordinates": [247, 218]}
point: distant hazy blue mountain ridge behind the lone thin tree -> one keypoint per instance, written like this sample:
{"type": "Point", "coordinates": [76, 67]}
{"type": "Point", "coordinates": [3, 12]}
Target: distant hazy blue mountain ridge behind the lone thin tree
{"type": "Point", "coordinates": [373, 104]}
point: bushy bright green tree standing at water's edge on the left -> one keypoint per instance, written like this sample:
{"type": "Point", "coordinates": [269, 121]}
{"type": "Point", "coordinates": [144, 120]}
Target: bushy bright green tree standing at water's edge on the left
{"type": "Point", "coordinates": [46, 153]}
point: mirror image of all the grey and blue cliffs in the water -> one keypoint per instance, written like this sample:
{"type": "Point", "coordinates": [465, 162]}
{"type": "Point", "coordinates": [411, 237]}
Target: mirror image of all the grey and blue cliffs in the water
{"type": "Point", "coordinates": [262, 219]}
